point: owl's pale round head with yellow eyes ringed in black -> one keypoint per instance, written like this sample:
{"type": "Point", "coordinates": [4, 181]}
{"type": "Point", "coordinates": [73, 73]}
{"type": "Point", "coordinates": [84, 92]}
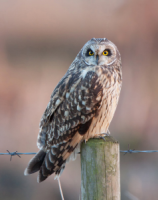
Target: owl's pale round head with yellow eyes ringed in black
{"type": "Point", "coordinates": [99, 51]}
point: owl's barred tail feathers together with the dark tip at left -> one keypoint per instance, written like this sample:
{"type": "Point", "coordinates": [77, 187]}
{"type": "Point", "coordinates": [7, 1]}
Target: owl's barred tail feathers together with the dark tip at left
{"type": "Point", "coordinates": [54, 160]}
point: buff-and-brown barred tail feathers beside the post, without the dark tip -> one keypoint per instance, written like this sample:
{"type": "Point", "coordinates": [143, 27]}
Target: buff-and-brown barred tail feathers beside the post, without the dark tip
{"type": "Point", "coordinates": [58, 156]}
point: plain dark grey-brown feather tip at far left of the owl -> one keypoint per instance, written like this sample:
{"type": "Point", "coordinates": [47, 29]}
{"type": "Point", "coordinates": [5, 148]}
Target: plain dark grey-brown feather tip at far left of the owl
{"type": "Point", "coordinates": [35, 163]}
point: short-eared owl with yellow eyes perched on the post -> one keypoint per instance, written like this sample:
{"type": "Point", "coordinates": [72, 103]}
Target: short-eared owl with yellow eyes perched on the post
{"type": "Point", "coordinates": [81, 107]}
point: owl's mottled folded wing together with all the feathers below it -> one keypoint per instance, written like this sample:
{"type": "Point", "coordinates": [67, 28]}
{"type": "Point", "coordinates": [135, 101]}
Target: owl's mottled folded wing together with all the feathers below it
{"type": "Point", "coordinates": [74, 103]}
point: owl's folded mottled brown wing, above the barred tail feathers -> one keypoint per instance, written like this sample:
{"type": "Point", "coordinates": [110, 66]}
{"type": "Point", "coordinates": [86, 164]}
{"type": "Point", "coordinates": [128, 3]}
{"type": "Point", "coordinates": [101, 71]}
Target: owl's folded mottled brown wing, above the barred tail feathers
{"type": "Point", "coordinates": [74, 102]}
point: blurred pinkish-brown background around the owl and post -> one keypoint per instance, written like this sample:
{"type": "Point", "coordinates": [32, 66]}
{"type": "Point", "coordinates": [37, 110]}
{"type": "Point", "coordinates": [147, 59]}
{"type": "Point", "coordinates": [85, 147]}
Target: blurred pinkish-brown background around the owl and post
{"type": "Point", "coordinates": [38, 41]}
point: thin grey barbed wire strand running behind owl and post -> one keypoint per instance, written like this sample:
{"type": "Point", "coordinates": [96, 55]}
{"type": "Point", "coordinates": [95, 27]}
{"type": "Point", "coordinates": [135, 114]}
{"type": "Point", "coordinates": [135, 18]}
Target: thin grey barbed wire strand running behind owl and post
{"type": "Point", "coordinates": [16, 153]}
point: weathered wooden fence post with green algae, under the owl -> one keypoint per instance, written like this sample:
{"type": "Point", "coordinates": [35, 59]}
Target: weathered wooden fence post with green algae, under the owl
{"type": "Point", "coordinates": [100, 169]}
